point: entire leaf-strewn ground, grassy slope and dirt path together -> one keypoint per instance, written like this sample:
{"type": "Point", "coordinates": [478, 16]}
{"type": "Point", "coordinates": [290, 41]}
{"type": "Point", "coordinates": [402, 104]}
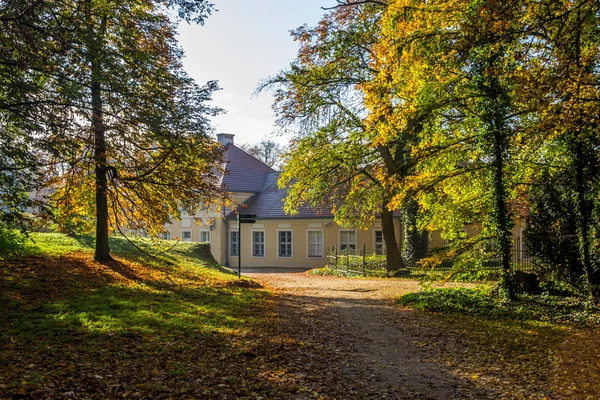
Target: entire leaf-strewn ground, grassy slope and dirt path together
{"type": "Point", "coordinates": [177, 326]}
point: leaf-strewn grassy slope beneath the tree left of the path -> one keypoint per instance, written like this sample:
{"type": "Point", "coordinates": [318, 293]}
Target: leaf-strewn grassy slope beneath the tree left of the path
{"type": "Point", "coordinates": [139, 327]}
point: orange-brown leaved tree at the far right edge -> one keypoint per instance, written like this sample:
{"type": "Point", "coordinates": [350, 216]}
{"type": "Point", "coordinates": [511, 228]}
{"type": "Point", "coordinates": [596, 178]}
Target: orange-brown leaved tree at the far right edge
{"type": "Point", "coordinates": [567, 61]}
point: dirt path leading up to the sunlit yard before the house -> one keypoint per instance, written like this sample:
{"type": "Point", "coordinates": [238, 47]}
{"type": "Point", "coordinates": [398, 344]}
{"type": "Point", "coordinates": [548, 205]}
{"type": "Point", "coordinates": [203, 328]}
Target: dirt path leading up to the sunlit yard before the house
{"type": "Point", "coordinates": [359, 315]}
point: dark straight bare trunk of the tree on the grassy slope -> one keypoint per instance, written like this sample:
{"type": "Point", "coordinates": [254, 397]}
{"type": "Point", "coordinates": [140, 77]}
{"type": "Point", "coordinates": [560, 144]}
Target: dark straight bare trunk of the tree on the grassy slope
{"type": "Point", "coordinates": [102, 248]}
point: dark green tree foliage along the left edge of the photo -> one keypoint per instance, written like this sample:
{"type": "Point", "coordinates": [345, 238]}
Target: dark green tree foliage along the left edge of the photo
{"type": "Point", "coordinates": [30, 113]}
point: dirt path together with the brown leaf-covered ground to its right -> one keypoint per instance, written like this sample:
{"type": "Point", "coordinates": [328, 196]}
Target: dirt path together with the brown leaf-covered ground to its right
{"type": "Point", "coordinates": [414, 354]}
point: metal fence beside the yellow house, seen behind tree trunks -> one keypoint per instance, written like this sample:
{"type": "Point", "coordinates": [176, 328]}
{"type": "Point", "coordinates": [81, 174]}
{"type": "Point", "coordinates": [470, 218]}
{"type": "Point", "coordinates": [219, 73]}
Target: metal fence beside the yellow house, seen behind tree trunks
{"type": "Point", "coordinates": [358, 261]}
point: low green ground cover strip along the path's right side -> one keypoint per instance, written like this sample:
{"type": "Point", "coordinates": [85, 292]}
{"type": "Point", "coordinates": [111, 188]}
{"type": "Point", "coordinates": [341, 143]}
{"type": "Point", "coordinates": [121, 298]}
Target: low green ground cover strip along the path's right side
{"type": "Point", "coordinates": [484, 302]}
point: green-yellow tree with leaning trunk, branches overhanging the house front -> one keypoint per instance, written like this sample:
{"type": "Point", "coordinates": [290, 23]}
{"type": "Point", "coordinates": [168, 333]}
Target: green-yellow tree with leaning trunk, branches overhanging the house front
{"type": "Point", "coordinates": [332, 160]}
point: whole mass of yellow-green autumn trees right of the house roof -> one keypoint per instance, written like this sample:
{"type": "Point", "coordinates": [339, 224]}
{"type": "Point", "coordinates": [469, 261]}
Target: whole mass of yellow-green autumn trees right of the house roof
{"type": "Point", "coordinates": [458, 106]}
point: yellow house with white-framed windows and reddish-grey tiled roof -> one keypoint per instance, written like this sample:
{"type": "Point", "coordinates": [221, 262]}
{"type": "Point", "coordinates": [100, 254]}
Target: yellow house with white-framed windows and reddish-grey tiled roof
{"type": "Point", "coordinates": [275, 239]}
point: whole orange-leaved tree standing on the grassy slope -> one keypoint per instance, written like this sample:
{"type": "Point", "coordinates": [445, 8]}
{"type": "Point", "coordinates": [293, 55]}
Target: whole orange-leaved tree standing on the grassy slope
{"type": "Point", "coordinates": [136, 124]}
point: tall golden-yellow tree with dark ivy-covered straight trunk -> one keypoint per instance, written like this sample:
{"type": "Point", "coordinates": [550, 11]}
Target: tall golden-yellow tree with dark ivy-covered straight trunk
{"type": "Point", "coordinates": [447, 69]}
